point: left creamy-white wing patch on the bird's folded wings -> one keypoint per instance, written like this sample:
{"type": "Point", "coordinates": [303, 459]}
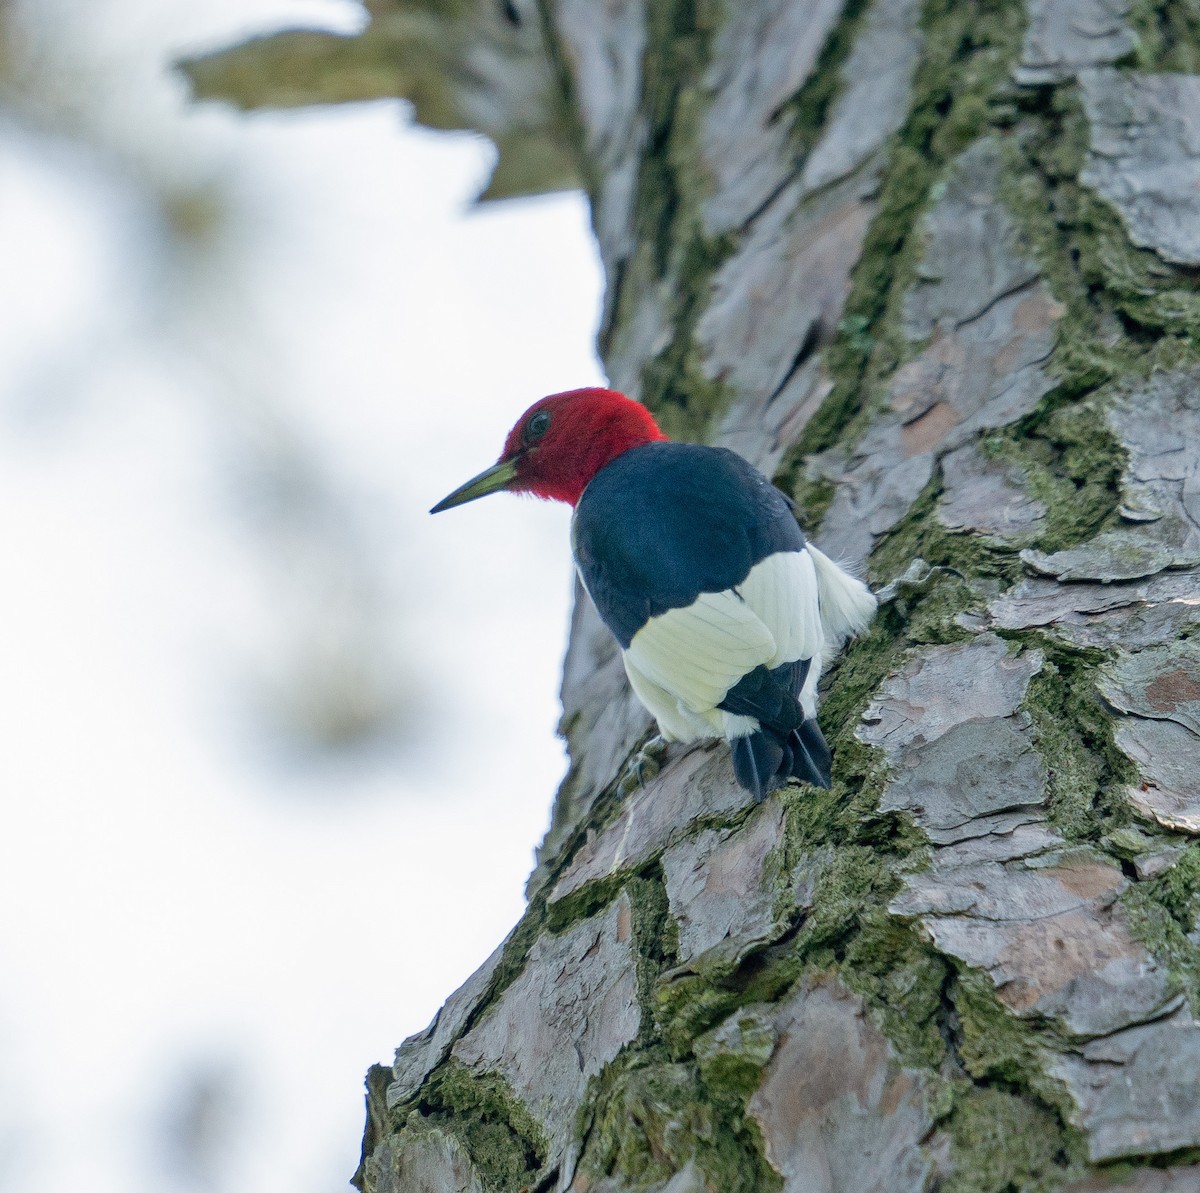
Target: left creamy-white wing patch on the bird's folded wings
{"type": "Point", "coordinates": [699, 654]}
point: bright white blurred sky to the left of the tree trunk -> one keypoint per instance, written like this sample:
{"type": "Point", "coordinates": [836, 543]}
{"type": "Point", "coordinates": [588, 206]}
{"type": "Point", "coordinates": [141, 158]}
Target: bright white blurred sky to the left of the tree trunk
{"type": "Point", "coordinates": [172, 891]}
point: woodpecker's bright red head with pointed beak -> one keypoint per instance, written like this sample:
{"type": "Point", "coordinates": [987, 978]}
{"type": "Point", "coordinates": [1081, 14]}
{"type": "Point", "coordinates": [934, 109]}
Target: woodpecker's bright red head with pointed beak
{"type": "Point", "coordinates": [561, 443]}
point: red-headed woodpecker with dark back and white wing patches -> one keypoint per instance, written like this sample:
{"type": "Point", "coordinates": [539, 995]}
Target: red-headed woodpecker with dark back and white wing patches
{"type": "Point", "coordinates": [724, 613]}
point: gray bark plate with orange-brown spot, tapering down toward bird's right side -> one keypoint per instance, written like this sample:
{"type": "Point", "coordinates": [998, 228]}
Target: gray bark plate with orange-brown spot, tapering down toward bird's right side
{"type": "Point", "coordinates": [988, 325]}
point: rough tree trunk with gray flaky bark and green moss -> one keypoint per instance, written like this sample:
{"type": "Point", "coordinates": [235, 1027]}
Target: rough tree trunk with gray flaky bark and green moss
{"type": "Point", "coordinates": [935, 269]}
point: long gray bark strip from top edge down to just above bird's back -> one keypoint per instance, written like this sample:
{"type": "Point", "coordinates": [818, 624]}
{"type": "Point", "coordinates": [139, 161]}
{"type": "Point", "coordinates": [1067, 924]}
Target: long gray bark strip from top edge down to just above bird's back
{"type": "Point", "coordinates": [781, 297]}
